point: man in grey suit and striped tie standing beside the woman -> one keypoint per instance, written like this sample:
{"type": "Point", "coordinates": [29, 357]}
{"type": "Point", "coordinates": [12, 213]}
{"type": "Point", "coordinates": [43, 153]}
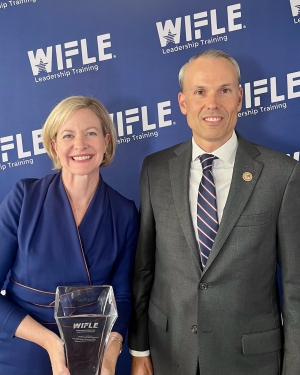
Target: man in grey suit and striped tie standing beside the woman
{"type": "Point", "coordinates": [205, 292]}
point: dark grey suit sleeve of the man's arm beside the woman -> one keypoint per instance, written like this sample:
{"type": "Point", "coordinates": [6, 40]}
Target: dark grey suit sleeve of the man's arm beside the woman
{"type": "Point", "coordinates": [144, 268]}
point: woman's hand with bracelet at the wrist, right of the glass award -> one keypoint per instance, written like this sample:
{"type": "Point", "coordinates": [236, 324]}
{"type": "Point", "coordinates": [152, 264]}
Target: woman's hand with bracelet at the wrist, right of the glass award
{"type": "Point", "coordinates": [111, 354]}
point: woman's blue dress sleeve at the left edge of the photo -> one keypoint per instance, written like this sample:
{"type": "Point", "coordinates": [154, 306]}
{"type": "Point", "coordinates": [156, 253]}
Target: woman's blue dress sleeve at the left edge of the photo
{"type": "Point", "coordinates": [10, 314]}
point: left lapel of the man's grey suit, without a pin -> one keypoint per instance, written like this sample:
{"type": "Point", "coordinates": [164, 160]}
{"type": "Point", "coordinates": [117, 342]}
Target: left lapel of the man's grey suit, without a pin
{"type": "Point", "coordinates": [179, 168]}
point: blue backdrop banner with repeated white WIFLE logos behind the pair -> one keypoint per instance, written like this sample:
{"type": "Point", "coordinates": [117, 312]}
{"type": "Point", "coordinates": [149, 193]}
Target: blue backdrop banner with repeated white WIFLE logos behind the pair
{"type": "Point", "coordinates": [128, 54]}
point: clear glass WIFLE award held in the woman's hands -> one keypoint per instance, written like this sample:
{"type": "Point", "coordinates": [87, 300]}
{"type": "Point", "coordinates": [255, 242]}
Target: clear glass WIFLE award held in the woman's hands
{"type": "Point", "coordinates": [85, 316]}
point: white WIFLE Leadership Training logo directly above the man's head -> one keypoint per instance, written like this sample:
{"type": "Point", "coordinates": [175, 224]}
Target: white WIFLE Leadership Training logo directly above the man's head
{"type": "Point", "coordinates": [187, 32]}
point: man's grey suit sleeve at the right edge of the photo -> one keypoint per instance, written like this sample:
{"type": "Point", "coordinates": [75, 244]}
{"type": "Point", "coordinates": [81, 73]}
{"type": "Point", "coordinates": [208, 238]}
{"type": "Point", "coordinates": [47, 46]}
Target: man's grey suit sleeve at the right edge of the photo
{"type": "Point", "coordinates": [289, 260]}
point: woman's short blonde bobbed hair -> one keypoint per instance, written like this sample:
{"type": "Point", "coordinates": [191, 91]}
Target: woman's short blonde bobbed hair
{"type": "Point", "coordinates": [61, 113]}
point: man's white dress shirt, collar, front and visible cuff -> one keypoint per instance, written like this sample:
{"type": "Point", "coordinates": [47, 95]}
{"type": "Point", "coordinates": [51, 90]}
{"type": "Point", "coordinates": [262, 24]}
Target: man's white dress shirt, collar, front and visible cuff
{"type": "Point", "coordinates": [222, 170]}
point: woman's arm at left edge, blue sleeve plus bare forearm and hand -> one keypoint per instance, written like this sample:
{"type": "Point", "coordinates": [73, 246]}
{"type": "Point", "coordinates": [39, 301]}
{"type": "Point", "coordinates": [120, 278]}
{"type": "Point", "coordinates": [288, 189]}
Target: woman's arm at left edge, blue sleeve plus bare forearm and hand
{"type": "Point", "coordinates": [14, 320]}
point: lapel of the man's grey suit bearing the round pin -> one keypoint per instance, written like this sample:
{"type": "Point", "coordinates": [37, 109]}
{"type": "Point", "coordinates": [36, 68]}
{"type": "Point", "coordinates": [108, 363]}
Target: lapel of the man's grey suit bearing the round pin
{"type": "Point", "coordinates": [239, 193]}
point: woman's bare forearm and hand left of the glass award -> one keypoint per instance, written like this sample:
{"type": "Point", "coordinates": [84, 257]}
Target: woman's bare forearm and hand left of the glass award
{"type": "Point", "coordinates": [29, 329]}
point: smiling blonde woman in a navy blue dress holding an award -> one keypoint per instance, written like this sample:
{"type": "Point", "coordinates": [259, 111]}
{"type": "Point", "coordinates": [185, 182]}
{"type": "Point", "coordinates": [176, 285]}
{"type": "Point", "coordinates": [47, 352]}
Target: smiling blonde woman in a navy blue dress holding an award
{"type": "Point", "coordinates": [68, 228]}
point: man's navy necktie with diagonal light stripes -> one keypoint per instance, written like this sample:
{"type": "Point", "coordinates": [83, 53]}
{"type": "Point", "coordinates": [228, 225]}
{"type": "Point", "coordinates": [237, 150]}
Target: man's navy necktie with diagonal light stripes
{"type": "Point", "coordinates": [207, 218]}
